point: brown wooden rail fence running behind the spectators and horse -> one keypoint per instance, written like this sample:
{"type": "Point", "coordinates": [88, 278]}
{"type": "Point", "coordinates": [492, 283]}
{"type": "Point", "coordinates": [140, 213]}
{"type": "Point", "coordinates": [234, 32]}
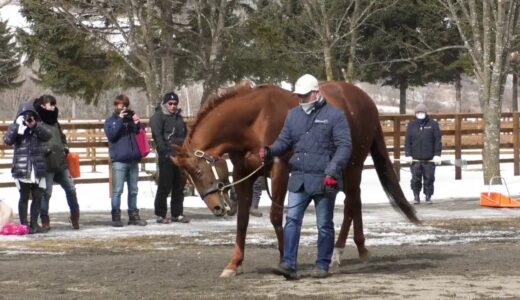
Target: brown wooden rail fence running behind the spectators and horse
{"type": "Point", "coordinates": [460, 132]}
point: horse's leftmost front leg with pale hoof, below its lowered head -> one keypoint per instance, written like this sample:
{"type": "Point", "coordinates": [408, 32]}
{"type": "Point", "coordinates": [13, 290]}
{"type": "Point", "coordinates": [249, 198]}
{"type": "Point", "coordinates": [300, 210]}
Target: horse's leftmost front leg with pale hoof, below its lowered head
{"type": "Point", "coordinates": [244, 191]}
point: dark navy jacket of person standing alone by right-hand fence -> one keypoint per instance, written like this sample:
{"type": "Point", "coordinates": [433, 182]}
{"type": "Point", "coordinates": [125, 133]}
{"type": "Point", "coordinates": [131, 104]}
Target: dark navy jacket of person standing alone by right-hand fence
{"type": "Point", "coordinates": [423, 139]}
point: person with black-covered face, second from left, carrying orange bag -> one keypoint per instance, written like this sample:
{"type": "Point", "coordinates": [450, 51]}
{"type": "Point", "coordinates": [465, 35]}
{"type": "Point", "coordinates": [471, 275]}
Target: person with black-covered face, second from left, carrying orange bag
{"type": "Point", "coordinates": [56, 152]}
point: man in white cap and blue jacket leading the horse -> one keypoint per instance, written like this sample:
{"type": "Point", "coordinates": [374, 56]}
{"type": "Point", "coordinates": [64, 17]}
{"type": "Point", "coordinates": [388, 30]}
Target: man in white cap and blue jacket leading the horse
{"type": "Point", "coordinates": [319, 136]}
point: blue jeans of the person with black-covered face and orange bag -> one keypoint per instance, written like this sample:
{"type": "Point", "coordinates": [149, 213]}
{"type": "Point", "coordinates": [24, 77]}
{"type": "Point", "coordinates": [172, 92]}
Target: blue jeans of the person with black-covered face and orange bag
{"type": "Point", "coordinates": [67, 184]}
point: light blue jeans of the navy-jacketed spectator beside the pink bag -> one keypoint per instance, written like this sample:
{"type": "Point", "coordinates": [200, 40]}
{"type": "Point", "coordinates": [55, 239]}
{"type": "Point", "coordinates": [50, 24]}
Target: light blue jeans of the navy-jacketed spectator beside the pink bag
{"type": "Point", "coordinates": [122, 172]}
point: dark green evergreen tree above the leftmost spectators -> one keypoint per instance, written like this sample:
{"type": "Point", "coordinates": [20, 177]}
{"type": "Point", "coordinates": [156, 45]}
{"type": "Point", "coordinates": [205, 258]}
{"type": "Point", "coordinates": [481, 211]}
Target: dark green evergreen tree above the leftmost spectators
{"type": "Point", "coordinates": [66, 60]}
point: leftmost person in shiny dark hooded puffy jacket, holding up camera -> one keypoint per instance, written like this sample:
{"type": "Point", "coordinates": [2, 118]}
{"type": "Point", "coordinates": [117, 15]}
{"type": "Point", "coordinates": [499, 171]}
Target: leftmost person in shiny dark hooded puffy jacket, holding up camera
{"type": "Point", "coordinates": [26, 135]}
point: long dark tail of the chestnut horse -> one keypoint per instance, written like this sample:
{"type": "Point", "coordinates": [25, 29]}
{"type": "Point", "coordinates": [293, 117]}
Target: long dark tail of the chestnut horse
{"type": "Point", "coordinates": [388, 177]}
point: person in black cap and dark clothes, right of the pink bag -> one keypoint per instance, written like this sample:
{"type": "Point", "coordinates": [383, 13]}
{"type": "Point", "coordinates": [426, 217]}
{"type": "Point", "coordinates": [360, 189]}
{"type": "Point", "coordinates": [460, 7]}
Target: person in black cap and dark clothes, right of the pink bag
{"type": "Point", "coordinates": [169, 128]}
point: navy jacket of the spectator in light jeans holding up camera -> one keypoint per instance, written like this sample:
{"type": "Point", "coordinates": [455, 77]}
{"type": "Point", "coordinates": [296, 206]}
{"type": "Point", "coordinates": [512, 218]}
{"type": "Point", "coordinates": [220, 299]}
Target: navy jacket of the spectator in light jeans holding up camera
{"type": "Point", "coordinates": [122, 145]}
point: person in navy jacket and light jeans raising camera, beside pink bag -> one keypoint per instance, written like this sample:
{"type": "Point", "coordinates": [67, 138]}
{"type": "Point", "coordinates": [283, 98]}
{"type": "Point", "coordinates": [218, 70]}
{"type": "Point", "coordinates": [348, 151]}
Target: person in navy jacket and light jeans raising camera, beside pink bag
{"type": "Point", "coordinates": [121, 129]}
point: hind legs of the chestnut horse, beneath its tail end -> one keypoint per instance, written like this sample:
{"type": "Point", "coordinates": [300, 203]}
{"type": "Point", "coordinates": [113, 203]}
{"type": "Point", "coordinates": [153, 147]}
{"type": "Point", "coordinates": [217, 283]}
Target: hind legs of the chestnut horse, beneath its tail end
{"type": "Point", "coordinates": [352, 213]}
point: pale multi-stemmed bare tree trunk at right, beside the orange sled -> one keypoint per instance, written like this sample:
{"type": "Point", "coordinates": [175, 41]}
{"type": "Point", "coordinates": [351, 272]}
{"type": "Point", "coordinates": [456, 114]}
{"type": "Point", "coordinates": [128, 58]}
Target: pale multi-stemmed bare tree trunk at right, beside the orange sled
{"type": "Point", "coordinates": [488, 28]}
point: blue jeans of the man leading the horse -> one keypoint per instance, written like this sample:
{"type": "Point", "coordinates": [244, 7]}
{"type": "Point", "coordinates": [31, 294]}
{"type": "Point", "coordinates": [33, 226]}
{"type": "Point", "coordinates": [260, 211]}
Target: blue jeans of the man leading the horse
{"type": "Point", "coordinates": [298, 203]}
